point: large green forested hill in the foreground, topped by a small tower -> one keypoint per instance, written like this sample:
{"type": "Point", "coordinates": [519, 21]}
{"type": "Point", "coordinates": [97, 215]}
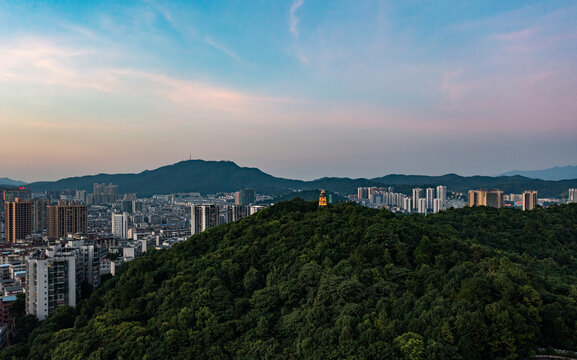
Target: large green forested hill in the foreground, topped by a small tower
{"type": "Point", "coordinates": [343, 282]}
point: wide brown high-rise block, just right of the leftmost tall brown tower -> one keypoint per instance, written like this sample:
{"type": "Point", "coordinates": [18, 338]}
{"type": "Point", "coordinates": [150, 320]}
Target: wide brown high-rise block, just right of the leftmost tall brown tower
{"type": "Point", "coordinates": [67, 218]}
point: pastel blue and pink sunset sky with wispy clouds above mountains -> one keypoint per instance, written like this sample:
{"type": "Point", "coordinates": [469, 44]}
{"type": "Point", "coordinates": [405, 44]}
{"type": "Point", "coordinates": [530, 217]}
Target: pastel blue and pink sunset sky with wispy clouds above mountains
{"type": "Point", "coordinates": [300, 88]}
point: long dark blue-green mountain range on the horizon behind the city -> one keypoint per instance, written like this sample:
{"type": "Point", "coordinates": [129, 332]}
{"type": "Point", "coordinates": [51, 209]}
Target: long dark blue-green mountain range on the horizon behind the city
{"type": "Point", "coordinates": [209, 177]}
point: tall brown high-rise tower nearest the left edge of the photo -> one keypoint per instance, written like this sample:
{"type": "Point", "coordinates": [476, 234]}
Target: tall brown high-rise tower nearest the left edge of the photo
{"type": "Point", "coordinates": [18, 220]}
